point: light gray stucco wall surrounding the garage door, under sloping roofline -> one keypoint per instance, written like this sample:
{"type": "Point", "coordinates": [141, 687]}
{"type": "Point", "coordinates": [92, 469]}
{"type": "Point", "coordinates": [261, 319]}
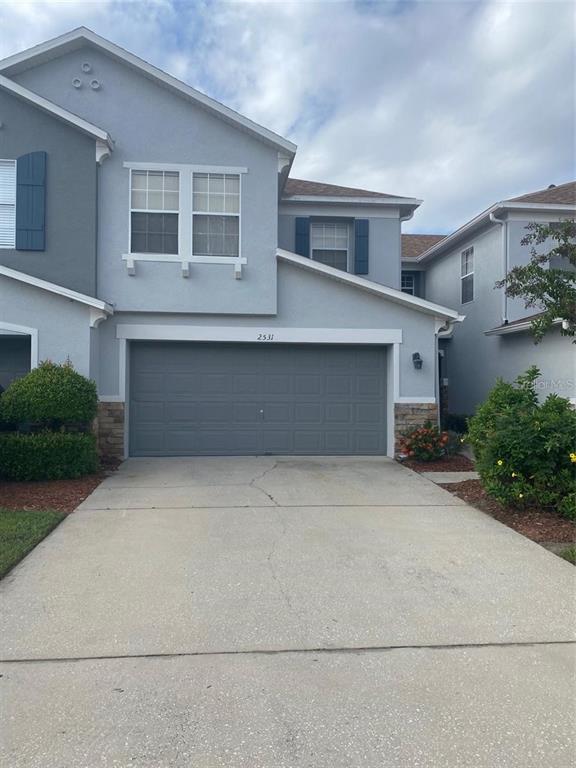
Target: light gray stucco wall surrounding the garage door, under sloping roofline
{"type": "Point", "coordinates": [305, 300]}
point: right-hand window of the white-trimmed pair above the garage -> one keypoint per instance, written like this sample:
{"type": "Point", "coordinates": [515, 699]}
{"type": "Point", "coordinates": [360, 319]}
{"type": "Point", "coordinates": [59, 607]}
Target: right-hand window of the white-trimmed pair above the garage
{"type": "Point", "coordinates": [216, 214]}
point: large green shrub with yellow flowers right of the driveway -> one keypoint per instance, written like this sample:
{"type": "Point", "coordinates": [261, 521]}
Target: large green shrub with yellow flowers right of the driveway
{"type": "Point", "coordinates": [524, 450]}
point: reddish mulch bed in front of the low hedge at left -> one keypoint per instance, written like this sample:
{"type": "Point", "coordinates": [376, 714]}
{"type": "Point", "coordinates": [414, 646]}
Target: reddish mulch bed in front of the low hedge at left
{"type": "Point", "coordinates": [61, 495]}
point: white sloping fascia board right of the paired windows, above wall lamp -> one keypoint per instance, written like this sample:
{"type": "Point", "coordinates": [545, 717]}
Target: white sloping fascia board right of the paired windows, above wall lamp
{"type": "Point", "coordinates": [383, 291]}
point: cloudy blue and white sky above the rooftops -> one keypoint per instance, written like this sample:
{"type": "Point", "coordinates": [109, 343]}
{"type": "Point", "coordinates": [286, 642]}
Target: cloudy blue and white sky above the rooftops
{"type": "Point", "coordinates": [460, 104]}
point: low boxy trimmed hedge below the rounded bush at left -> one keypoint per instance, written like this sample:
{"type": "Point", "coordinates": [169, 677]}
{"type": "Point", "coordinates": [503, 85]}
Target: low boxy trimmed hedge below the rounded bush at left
{"type": "Point", "coordinates": [47, 455]}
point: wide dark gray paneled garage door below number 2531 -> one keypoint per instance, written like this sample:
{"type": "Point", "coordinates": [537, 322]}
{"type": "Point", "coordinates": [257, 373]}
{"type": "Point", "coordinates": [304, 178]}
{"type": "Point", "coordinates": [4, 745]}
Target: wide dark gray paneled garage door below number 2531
{"type": "Point", "coordinates": [241, 399]}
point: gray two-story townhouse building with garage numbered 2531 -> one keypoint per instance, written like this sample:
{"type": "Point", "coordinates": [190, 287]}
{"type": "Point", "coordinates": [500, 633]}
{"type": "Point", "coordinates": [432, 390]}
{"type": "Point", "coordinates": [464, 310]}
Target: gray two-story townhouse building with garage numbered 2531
{"type": "Point", "coordinates": [151, 236]}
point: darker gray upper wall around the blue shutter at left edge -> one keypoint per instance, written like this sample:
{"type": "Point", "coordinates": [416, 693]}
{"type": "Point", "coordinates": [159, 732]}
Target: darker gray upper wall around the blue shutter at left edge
{"type": "Point", "coordinates": [70, 255]}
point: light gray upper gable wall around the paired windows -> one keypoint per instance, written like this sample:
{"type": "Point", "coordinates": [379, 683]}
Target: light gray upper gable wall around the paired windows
{"type": "Point", "coordinates": [151, 124]}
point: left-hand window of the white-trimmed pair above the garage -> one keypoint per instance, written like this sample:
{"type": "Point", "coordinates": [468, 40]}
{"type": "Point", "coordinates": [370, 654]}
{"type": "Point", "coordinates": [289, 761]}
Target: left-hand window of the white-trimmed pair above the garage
{"type": "Point", "coordinates": [155, 210]}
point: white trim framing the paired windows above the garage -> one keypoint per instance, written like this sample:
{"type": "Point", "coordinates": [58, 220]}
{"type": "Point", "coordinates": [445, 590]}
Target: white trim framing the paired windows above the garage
{"type": "Point", "coordinates": [184, 257]}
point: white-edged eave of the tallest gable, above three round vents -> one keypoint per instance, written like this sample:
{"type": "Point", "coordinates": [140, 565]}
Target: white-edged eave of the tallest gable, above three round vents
{"type": "Point", "coordinates": [75, 39]}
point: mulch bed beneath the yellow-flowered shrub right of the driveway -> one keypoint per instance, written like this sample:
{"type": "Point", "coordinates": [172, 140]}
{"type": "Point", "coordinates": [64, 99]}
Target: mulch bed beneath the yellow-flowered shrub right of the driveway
{"type": "Point", "coordinates": [540, 525]}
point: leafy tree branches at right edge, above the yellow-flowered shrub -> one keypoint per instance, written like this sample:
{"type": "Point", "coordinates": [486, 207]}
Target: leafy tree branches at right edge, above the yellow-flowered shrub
{"type": "Point", "coordinates": [548, 281]}
